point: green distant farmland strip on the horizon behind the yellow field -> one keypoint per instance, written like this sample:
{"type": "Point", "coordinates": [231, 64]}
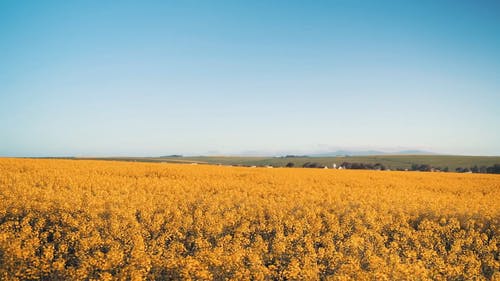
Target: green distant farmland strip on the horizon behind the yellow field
{"type": "Point", "coordinates": [389, 161]}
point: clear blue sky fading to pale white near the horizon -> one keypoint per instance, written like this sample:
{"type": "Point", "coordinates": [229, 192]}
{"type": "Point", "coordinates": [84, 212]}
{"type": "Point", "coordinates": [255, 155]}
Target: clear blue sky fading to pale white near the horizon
{"type": "Point", "coordinates": [103, 78]}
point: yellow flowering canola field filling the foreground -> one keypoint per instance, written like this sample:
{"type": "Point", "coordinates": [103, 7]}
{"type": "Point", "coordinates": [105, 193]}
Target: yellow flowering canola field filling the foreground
{"type": "Point", "coordinates": [103, 220]}
